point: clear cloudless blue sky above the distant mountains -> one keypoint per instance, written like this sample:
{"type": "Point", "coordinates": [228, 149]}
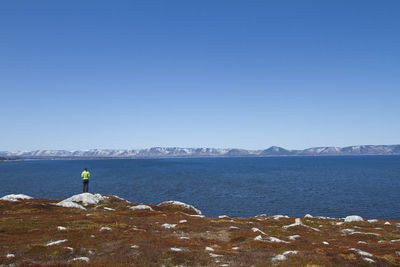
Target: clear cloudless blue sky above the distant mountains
{"type": "Point", "coordinates": [219, 73]}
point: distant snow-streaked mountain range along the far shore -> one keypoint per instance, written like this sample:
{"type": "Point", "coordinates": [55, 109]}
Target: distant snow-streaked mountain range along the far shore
{"type": "Point", "coordinates": [174, 152]}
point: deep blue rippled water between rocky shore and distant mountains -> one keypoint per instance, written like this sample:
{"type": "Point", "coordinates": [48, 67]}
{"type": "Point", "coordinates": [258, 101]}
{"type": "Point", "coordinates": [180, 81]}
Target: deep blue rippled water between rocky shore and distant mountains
{"type": "Point", "coordinates": [368, 186]}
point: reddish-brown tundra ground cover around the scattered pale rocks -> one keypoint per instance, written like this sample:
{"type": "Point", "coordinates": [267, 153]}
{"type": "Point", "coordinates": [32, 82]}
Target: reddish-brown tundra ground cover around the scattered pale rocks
{"type": "Point", "coordinates": [27, 226]}
